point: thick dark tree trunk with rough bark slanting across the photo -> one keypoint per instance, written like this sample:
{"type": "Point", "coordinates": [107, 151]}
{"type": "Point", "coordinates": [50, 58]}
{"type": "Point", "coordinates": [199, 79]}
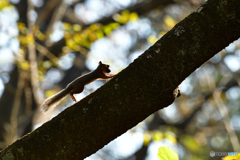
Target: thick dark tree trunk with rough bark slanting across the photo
{"type": "Point", "coordinates": [141, 89]}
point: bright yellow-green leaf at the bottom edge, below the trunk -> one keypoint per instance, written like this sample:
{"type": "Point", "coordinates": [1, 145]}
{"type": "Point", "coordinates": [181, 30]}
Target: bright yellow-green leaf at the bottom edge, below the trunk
{"type": "Point", "coordinates": [166, 153]}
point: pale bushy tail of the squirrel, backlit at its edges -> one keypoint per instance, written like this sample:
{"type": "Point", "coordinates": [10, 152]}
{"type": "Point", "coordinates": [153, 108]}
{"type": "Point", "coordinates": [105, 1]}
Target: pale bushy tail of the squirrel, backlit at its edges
{"type": "Point", "coordinates": [52, 101]}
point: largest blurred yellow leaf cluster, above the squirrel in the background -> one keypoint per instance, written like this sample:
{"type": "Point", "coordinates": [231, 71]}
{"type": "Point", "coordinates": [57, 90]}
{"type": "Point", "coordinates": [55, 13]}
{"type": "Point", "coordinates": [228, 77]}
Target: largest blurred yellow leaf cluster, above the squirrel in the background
{"type": "Point", "coordinates": [77, 39]}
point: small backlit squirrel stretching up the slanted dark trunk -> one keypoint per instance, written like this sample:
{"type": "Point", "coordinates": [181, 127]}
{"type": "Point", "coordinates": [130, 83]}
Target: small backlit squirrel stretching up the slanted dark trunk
{"type": "Point", "coordinates": [77, 86]}
